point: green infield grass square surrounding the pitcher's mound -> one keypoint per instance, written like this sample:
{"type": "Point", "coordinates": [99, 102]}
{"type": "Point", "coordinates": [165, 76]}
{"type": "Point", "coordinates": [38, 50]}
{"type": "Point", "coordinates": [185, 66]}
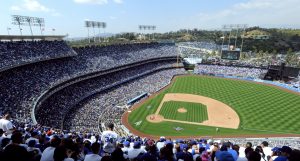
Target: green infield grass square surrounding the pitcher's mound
{"type": "Point", "coordinates": [196, 112]}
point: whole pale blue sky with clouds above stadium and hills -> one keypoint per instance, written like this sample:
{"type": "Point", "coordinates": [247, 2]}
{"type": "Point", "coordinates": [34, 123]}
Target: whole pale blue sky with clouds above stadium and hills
{"type": "Point", "coordinates": [67, 16]}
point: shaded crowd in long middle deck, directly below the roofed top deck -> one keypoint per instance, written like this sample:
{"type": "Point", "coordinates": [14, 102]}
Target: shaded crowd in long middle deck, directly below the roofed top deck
{"type": "Point", "coordinates": [21, 86]}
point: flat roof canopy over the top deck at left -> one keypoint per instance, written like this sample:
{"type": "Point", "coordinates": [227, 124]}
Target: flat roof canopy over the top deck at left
{"type": "Point", "coordinates": [31, 38]}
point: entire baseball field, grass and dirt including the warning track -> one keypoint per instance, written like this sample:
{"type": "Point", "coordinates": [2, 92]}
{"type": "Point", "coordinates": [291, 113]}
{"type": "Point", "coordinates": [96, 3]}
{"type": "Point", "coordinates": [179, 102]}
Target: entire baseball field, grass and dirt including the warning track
{"type": "Point", "coordinates": [209, 106]}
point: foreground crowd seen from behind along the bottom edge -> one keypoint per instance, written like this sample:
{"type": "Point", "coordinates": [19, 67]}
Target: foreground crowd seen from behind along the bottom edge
{"type": "Point", "coordinates": [37, 143]}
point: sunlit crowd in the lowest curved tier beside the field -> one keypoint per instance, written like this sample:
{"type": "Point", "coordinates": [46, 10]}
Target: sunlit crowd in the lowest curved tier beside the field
{"type": "Point", "coordinates": [110, 105]}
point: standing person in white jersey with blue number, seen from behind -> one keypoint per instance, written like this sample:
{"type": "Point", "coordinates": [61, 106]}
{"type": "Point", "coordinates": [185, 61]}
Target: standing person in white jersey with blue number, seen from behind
{"type": "Point", "coordinates": [109, 139]}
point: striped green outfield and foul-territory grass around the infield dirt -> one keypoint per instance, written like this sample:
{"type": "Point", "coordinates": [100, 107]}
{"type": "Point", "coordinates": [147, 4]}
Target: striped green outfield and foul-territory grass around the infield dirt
{"type": "Point", "coordinates": [262, 109]}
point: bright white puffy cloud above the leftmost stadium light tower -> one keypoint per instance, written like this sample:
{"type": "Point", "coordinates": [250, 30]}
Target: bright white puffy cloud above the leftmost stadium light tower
{"type": "Point", "coordinates": [34, 6]}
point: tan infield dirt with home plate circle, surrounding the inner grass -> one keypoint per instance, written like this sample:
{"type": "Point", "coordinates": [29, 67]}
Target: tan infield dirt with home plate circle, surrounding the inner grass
{"type": "Point", "coordinates": [219, 114]}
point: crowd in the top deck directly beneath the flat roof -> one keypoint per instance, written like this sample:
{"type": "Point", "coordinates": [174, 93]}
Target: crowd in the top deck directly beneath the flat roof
{"type": "Point", "coordinates": [13, 53]}
